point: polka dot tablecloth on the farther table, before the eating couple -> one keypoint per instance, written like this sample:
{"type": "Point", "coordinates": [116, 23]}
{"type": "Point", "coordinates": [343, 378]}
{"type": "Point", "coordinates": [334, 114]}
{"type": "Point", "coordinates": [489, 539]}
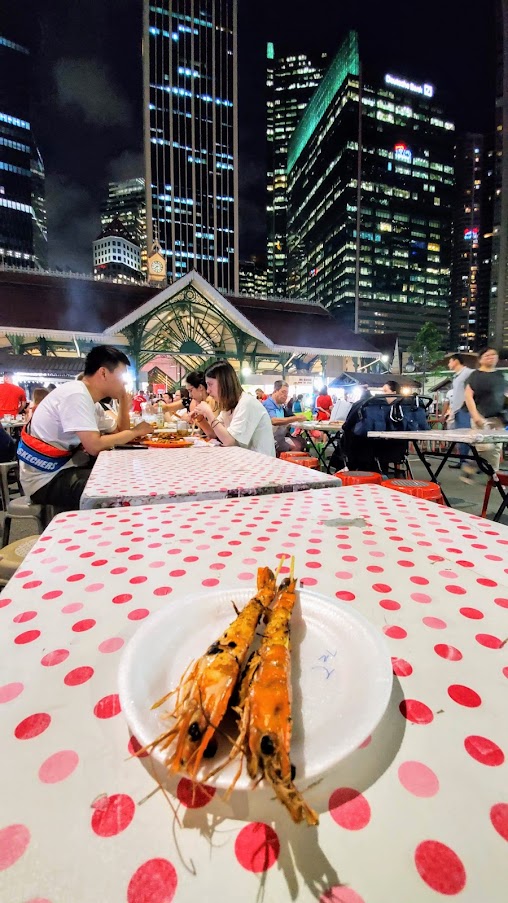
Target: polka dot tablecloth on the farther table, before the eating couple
{"type": "Point", "coordinates": [155, 476]}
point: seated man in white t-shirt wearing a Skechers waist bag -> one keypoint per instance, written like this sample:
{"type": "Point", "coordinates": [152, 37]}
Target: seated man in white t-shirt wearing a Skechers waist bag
{"type": "Point", "coordinates": [58, 447]}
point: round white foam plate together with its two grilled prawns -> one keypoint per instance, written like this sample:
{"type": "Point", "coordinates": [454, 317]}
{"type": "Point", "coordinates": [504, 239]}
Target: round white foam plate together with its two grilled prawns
{"type": "Point", "coordinates": [269, 683]}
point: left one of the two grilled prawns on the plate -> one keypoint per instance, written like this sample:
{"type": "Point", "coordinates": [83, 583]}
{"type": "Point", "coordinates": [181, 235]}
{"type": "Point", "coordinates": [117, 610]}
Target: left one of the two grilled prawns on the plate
{"type": "Point", "coordinates": [204, 692]}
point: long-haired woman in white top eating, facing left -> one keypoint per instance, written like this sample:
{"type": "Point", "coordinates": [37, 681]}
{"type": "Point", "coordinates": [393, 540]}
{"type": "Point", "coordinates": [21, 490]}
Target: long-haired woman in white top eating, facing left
{"type": "Point", "coordinates": [241, 419]}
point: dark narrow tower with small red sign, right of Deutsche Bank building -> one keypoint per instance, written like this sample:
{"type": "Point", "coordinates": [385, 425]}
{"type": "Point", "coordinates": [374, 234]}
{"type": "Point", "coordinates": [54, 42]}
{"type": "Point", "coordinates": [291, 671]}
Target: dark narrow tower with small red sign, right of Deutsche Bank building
{"type": "Point", "coordinates": [472, 235]}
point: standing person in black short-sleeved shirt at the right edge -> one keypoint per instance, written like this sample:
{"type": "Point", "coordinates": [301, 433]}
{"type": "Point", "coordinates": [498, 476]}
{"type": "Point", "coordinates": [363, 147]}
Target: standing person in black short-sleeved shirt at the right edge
{"type": "Point", "coordinates": [485, 398]}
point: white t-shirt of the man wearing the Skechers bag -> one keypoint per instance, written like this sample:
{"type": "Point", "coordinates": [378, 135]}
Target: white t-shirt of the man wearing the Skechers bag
{"type": "Point", "coordinates": [63, 413]}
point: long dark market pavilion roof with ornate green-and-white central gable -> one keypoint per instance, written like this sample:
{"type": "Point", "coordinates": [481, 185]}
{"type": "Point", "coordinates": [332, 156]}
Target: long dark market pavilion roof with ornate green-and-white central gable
{"type": "Point", "coordinates": [41, 313]}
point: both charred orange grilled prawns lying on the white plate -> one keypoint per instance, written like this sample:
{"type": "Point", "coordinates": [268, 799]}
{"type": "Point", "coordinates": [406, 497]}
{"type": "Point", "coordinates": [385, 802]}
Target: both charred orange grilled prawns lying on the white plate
{"type": "Point", "coordinates": [265, 721]}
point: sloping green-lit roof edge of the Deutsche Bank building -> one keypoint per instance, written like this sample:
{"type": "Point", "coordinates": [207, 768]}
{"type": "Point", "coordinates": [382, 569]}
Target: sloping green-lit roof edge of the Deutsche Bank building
{"type": "Point", "coordinates": [347, 62]}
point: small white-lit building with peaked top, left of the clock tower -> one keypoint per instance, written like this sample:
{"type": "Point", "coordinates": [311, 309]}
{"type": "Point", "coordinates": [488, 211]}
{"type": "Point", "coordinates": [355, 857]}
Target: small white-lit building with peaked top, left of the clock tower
{"type": "Point", "coordinates": [116, 255]}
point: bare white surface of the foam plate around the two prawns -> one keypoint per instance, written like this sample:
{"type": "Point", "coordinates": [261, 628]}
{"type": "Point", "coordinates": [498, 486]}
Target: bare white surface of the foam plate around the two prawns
{"type": "Point", "coordinates": [341, 676]}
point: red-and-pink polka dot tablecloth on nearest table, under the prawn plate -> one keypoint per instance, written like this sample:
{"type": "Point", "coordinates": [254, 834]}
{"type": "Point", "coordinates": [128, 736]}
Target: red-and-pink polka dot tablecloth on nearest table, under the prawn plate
{"type": "Point", "coordinates": [418, 813]}
